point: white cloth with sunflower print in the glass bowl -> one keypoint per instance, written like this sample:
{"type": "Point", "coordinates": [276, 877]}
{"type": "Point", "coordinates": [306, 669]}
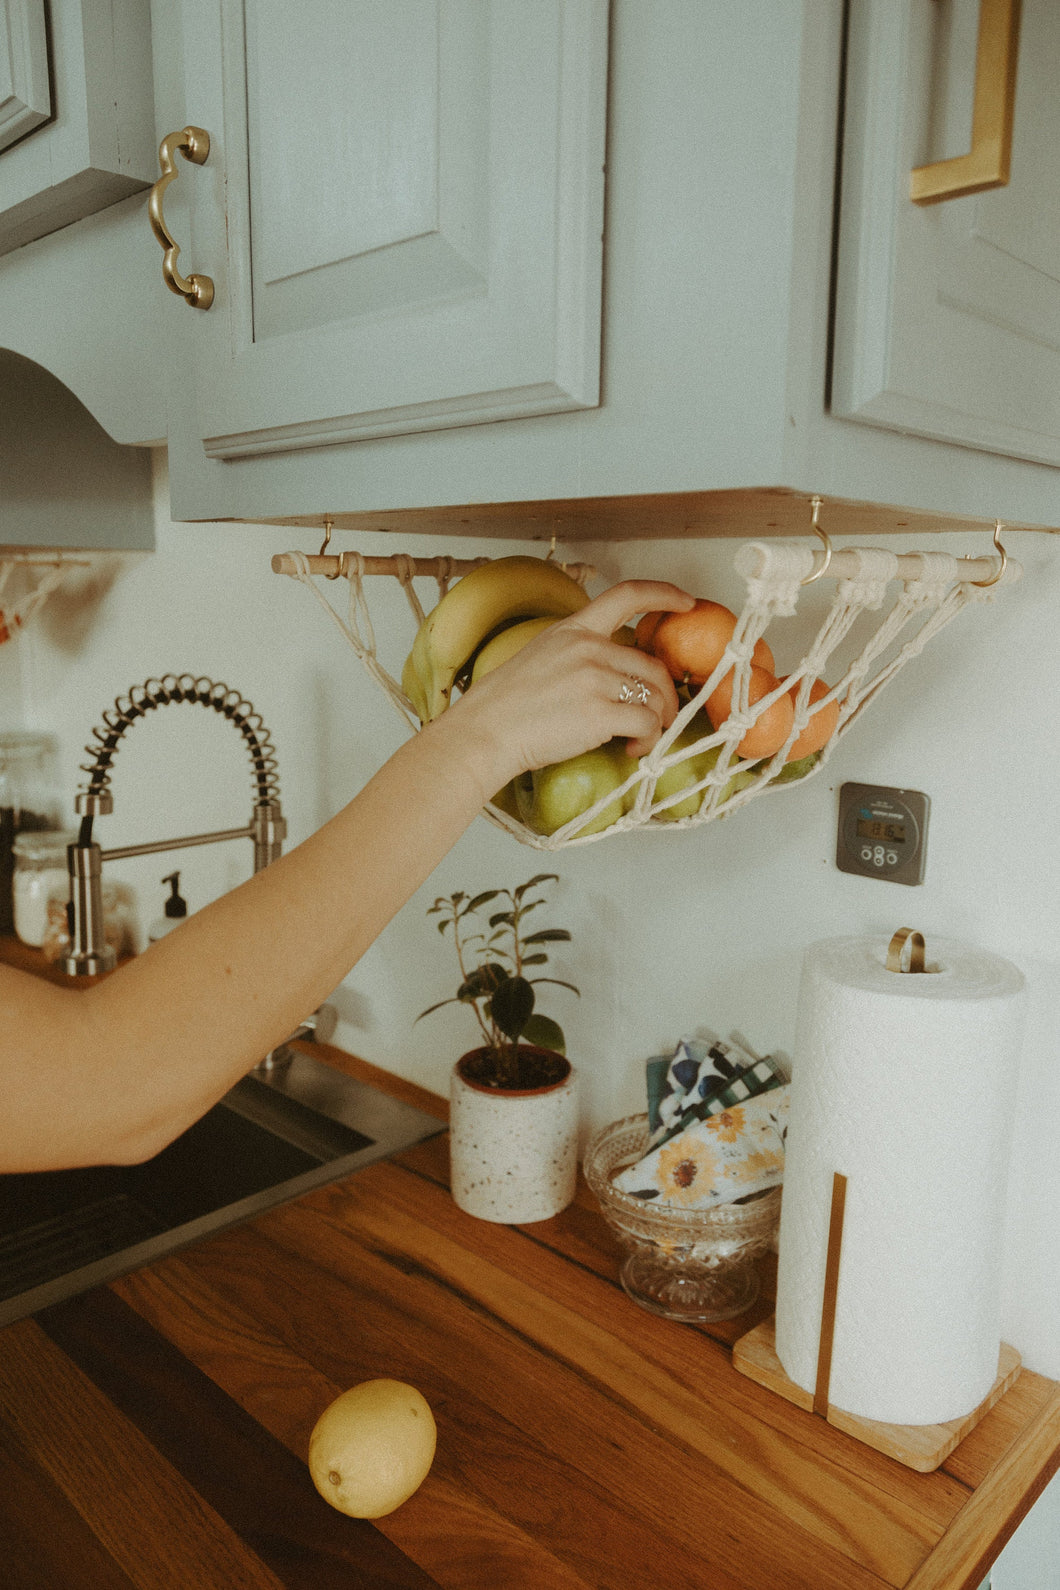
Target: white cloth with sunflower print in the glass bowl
{"type": "Point", "coordinates": [727, 1157]}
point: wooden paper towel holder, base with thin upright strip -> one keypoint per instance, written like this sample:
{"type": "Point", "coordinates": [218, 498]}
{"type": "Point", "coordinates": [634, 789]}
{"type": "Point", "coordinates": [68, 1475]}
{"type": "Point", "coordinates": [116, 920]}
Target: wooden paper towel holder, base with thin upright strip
{"type": "Point", "coordinates": [923, 1448]}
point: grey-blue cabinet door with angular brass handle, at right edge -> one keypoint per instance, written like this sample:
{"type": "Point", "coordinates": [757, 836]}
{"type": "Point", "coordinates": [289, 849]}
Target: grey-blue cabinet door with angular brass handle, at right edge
{"type": "Point", "coordinates": [948, 317]}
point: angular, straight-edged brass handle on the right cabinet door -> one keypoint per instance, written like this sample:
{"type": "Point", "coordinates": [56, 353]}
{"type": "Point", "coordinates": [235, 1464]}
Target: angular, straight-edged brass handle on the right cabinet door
{"type": "Point", "coordinates": [988, 161]}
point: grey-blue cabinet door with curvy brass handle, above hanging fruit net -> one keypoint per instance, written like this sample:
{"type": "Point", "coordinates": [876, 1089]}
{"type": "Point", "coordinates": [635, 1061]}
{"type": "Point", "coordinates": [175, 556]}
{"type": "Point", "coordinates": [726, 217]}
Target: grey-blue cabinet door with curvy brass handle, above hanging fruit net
{"type": "Point", "coordinates": [401, 212]}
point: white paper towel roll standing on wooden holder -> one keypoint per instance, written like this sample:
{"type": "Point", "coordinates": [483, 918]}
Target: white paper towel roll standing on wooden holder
{"type": "Point", "coordinates": [903, 1084]}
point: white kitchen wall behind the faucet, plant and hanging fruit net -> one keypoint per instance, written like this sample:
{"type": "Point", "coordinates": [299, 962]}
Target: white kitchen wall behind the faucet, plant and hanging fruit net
{"type": "Point", "coordinates": [671, 931]}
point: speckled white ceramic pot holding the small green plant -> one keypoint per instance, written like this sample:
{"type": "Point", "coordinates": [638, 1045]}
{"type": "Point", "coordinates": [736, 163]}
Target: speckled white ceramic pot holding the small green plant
{"type": "Point", "coordinates": [514, 1157]}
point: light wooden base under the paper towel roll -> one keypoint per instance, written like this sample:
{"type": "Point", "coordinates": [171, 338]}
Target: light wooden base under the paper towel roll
{"type": "Point", "coordinates": [919, 1448]}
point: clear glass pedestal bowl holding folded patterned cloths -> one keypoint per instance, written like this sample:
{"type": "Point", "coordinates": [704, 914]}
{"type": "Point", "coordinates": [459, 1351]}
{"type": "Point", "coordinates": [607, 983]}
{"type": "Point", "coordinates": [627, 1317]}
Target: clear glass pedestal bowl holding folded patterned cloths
{"type": "Point", "coordinates": [692, 1265]}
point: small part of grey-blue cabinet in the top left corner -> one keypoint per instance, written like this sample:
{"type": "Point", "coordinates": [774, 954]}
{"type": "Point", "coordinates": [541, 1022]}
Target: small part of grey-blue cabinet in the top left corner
{"type": "Point", "coordinates": [77, 125]}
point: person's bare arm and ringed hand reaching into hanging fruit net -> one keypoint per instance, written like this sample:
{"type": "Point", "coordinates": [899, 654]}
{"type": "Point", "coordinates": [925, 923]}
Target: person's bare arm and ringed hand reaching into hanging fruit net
{"type": "Point", "coordinates": [117, 1072]}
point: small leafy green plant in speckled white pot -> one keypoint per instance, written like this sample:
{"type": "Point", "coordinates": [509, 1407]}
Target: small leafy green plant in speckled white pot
{"type": "Point", "coordinates": [514, 1109]}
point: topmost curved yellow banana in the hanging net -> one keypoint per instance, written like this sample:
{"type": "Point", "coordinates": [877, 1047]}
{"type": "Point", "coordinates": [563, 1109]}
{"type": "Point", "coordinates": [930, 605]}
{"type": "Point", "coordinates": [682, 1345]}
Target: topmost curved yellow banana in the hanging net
{"type": "Point", "coordinates": [492, 595]}
